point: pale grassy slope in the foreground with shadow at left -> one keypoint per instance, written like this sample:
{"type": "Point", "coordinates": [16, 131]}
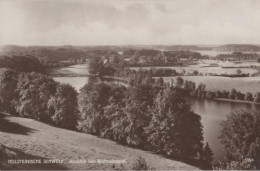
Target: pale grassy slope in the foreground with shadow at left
{"type": "Point", "coordinates": [33, 139]}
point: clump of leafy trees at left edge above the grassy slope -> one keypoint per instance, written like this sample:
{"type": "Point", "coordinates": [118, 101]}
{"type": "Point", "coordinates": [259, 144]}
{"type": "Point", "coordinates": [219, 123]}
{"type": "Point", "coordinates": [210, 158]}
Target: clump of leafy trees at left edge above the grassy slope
{"type": "Point", "coordinates": [37, 96]}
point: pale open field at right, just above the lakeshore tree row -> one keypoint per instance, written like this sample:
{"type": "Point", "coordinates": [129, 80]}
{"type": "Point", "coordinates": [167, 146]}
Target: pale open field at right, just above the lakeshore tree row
{"type": "Point", "coordinates": [214, 83]}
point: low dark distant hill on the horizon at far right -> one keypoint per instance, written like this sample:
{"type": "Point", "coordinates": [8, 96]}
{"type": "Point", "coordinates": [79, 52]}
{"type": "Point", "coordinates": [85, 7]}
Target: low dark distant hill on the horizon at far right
{"type": "Point", "coordinates": [238, 47]}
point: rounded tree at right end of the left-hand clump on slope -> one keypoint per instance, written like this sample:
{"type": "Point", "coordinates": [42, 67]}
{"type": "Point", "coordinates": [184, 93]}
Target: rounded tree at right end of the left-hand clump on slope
{"type": "Point", "coordinates": [63, 106]}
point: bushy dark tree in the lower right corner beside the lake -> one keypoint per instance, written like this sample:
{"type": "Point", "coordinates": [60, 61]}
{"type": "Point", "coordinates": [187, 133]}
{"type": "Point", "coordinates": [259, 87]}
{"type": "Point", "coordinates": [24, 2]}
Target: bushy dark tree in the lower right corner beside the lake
{"type": "Point", "coordinates": [240, 135]}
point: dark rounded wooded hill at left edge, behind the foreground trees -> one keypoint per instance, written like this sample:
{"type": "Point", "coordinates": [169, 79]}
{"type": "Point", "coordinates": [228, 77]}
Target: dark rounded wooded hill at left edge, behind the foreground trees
{"type": "Point", "coordinates": [21, 63]}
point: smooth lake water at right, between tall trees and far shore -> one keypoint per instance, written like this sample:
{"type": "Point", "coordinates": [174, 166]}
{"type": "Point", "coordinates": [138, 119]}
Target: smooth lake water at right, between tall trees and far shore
{"type": "Point", "coordinates": [212, 112]}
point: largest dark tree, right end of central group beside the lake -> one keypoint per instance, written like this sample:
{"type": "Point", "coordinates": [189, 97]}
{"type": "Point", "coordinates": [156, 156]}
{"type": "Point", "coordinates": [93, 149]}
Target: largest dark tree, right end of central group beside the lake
{"type": "Point", "coordinates": [168, 132]}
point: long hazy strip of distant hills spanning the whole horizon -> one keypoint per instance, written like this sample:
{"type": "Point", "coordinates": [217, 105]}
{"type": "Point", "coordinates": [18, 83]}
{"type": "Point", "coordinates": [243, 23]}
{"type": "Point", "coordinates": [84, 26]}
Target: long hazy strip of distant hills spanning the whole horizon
{"type": "Point", "coordinates": [69, 52]}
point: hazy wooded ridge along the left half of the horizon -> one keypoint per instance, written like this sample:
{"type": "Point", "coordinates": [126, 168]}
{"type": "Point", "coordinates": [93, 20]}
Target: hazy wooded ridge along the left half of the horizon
{"type": "Point", "coordinates": [57, 53]}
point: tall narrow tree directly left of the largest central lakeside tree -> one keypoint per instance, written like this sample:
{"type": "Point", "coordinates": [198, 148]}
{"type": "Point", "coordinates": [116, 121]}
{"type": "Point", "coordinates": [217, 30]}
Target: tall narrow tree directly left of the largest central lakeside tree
{"type": "Point", "coordinates": [138, 114]}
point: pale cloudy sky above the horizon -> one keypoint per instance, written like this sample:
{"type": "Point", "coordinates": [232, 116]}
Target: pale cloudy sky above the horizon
{"type": "Point", "coordinates": [129, 22]}
